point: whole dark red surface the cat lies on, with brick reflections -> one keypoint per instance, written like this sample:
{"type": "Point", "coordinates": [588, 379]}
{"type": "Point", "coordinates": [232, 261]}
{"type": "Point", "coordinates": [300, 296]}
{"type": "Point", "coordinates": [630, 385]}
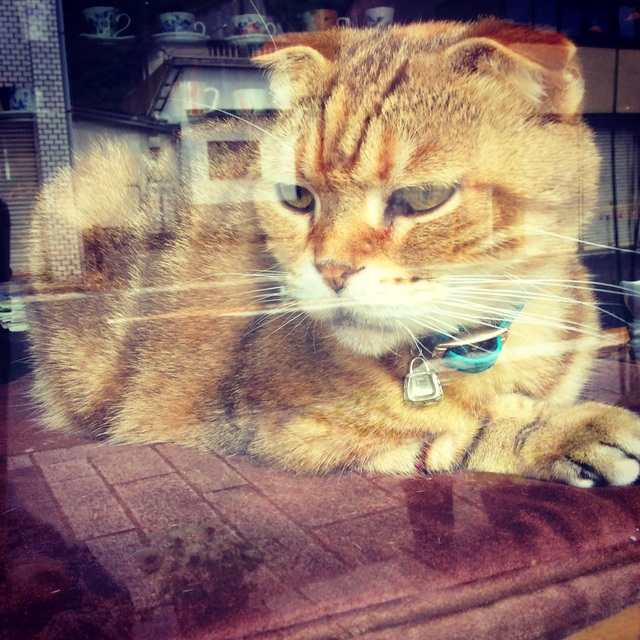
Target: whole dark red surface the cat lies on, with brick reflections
{"type": "Point", "coordinates": [451, 556]}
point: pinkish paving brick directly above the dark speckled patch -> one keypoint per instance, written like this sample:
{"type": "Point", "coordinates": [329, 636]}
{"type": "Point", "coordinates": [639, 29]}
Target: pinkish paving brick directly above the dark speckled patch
{"type": "Point", "coordinates": [157, 503]}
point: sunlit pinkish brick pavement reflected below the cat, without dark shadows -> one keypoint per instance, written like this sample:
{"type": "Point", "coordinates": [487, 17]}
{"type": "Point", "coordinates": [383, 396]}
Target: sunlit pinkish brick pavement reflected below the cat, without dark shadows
{"type": "Point", "coordinates": [326, 546]}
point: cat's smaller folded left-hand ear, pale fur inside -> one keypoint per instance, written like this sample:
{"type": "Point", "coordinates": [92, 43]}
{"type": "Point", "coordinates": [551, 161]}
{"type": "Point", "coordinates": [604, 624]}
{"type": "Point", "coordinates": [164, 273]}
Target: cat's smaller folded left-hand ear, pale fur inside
{"type": "Point", "coordinates": [297, 64]}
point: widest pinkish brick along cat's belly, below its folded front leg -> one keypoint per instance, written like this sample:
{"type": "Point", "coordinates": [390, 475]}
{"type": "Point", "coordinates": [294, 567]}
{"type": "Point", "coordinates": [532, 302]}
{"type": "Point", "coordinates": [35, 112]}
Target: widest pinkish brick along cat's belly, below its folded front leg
{"type": "Point", "coordinates": [341, 497]}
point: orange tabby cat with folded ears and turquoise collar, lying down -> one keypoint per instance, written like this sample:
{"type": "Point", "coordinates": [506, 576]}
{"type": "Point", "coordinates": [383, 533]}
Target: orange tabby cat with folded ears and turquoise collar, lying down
{"type": "Point", "coordinates": [381, 283]}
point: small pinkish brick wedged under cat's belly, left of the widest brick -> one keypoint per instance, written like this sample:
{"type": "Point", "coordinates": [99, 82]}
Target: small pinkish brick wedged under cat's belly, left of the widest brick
{"type": "Point", "coordinates": [205, 471]}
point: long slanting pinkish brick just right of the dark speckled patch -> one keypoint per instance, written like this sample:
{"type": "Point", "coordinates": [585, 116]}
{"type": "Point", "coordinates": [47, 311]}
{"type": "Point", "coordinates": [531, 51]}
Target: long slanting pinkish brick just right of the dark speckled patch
{"type": "Point", "coordinates": [288, 551]}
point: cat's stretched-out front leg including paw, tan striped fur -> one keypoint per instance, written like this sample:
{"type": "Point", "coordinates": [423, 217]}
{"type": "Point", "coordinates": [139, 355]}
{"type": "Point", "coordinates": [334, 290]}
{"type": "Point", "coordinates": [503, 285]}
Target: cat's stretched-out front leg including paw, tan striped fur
{"type": "Point", "coordinates": [582, 445]}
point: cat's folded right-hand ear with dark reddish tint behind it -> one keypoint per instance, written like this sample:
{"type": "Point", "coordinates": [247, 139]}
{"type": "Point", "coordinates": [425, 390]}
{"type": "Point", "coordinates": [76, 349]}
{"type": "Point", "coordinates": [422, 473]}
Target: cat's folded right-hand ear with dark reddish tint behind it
{"type": "Point", "coordinates": [540, 64]}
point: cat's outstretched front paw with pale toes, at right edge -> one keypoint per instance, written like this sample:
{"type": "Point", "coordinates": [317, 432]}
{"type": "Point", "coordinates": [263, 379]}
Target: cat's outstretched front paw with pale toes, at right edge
{"type": "Point", "coordinates": [584, 445]}
